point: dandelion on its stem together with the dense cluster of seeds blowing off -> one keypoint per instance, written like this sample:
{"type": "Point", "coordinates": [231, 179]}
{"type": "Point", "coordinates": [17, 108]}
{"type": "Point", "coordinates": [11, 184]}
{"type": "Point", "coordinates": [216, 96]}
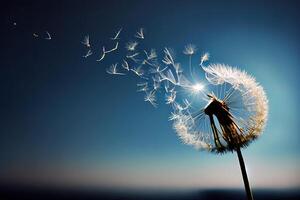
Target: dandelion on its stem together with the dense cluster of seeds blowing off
{"type": "Point", "coordinates": [223, 115]}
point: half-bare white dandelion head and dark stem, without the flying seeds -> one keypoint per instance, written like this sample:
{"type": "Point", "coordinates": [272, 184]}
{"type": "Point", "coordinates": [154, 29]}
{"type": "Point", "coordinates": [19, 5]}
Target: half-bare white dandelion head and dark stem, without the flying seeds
{"type": "Point", "coordinates": [236, 115]}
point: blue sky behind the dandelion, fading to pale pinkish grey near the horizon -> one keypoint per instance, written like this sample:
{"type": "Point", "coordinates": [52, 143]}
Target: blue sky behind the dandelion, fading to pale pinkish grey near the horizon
{"type": "Point", "coordinates": [64, 120]}
